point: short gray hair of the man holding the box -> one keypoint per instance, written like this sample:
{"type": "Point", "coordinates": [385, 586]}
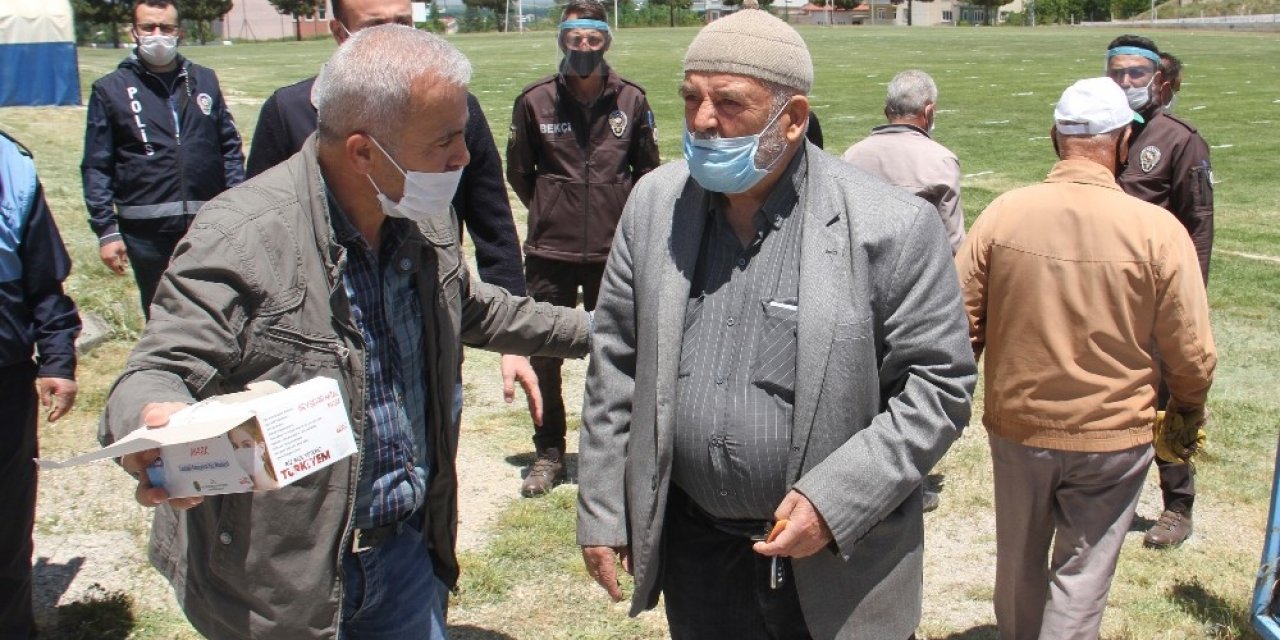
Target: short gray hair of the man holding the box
{"type": "Point", "coordinates": [367, 86]}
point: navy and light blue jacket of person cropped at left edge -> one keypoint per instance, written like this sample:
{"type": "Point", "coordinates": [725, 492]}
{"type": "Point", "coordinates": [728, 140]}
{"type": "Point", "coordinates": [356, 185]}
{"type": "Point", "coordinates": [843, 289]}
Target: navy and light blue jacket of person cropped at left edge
{"type": "Point", "coordinates": [34, 263]}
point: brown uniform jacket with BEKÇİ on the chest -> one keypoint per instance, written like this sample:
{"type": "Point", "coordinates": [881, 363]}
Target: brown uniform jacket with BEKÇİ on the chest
{"type": "Point", "coordinates": [573, 166]}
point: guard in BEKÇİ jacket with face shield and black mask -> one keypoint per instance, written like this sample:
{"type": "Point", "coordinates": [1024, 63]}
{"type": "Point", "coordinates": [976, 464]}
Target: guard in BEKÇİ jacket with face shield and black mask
{"type": "Point", "coordinates": [579, 141]}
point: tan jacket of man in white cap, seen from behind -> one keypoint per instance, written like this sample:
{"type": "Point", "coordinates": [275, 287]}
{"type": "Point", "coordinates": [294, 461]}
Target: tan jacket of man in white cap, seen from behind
{"type": "Point", "coordinates": [1069, 287]}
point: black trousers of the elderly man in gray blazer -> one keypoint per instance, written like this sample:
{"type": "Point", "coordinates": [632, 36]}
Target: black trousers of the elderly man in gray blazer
{"type": "Point", "coordinates": [715, 587]}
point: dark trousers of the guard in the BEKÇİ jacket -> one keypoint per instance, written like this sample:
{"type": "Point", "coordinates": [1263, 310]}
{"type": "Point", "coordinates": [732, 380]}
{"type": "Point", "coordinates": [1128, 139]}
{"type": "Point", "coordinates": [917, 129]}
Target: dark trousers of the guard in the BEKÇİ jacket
{"type": "Point", "coordinates": [559, 284]}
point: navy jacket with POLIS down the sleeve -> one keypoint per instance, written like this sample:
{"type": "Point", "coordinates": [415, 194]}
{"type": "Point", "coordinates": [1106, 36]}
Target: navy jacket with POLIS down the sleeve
{"type": "Point", "coordinates": [139, 164]}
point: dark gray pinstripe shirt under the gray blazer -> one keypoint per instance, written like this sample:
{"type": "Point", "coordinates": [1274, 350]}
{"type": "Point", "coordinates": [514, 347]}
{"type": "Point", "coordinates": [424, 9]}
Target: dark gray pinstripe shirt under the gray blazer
{"type": "Point", "coordinates": [737, 388]}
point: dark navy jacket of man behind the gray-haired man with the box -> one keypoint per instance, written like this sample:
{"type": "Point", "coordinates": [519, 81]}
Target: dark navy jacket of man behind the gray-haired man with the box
{"type": "Point", "coordinates": [482, 204]}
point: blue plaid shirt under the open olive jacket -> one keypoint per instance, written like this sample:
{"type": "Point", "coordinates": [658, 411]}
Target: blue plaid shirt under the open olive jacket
{"type": "Point", "coordinates": [387, 310]}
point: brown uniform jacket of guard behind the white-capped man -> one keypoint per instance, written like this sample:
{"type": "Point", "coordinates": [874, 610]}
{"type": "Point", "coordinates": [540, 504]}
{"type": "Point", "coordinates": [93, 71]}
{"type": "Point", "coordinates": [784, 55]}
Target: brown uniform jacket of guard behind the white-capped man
{"type": "Point", "coordinates": [1169, 168]}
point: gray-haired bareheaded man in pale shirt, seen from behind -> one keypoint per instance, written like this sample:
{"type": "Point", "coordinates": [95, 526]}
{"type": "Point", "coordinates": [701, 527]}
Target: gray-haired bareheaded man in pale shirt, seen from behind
{"type": "Point", "coordinates": [904, 154]}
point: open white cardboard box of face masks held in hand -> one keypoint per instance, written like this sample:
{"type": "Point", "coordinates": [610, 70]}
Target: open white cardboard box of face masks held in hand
{"type": "Point", "coordinates": [263, 438]}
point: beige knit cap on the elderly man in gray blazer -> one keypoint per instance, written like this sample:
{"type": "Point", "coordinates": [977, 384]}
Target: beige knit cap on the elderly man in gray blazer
{"type": "Point", "coordinates": [753, 44]}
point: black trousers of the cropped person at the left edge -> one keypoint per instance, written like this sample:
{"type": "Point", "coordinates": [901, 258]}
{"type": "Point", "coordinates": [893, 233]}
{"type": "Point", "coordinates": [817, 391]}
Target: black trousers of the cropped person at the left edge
{"type": "Point", "coordinates": [17, 499]}
